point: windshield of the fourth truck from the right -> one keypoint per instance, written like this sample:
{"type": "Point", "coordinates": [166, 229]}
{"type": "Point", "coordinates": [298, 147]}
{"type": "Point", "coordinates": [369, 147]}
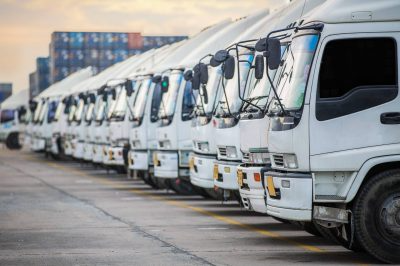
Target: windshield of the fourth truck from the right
{"type": "Point", "coordinates": [208, 92]}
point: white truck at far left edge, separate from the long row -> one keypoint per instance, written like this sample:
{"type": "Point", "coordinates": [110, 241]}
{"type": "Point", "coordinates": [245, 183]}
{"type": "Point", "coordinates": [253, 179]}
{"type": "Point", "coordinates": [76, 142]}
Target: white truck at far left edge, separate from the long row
{"type": "Point", "coordinates": [13, 117]}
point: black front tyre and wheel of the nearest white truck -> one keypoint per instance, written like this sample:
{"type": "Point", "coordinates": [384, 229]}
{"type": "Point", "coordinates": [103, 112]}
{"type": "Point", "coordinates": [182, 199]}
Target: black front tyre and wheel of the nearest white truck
{"type": "Point", "coordinates": [376, 212]}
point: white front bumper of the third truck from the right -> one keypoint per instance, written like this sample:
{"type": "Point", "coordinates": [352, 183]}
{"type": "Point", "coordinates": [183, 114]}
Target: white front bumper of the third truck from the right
{"type": "Point", "coordinates": [224, 174]}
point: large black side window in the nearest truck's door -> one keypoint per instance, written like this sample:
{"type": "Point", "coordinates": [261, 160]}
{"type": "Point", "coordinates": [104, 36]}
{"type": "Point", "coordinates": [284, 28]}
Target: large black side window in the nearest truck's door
{"type": "Point", "coordinates": [356, 74]}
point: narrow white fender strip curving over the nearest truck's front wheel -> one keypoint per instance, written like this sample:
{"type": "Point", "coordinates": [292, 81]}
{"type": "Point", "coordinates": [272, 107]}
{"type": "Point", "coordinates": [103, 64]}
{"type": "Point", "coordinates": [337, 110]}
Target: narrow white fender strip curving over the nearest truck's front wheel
{"type": "Point", "coordinates": [365, 168]}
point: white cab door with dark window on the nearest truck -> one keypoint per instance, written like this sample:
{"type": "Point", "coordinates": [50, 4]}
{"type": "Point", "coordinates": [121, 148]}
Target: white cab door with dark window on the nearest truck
{"type": "Point", "coordinates": [355, 107]}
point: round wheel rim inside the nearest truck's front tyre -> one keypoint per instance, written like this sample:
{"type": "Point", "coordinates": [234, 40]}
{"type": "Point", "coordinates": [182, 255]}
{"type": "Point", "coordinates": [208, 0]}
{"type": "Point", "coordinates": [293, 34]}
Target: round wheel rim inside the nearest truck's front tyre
{"type": "Point", "coordinates": [389, 219]}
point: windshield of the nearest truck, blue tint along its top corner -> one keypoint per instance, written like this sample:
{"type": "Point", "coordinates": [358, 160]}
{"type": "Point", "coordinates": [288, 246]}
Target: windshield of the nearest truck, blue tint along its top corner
{"type": "Point", "coordinates": [293, 76]}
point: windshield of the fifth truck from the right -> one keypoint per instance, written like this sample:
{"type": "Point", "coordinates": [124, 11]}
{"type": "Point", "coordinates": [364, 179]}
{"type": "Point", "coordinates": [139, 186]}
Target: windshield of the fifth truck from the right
{"type": "Point", "coordinates": [169, 98]}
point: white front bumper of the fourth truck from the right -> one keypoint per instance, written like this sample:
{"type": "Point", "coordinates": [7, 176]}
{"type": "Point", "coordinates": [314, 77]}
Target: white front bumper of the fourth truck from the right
{"type": "Point", "coordinates": [201, 171]}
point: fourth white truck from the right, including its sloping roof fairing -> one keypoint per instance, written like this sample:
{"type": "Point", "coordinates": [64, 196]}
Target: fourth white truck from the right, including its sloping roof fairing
{"type": "Point", "coordinates": [202, 129]}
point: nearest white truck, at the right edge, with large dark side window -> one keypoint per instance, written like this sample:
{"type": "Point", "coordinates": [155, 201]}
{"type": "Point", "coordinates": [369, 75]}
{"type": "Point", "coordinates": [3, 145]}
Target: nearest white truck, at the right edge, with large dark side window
{"type": "Point", "coordinates": [333, 135]}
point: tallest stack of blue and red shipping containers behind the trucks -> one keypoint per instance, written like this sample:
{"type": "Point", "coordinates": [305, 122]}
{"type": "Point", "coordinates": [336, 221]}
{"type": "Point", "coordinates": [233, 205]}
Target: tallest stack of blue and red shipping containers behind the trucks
{"type": "Point", "coordinates": [72, 51]}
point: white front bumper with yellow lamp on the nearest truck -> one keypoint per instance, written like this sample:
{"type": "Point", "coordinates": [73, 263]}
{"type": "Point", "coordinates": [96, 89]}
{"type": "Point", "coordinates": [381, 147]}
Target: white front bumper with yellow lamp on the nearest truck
{"type": "Point", "coordinates": [289, 195]}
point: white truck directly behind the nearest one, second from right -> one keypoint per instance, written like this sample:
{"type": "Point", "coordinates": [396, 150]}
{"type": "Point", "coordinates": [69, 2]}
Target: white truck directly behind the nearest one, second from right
{"type": "Point", "coordinates": [253, 121]}
